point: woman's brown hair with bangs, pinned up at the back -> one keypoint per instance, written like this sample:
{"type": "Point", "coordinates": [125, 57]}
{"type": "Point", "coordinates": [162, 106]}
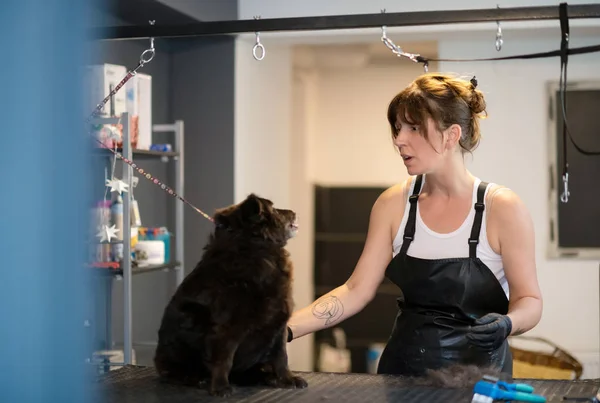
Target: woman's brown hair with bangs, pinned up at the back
{"type": "Point", "coordinates": [447, 100]}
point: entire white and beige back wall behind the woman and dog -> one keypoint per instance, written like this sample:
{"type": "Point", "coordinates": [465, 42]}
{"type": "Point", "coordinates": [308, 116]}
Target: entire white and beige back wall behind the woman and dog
{"type": "Point", "coordinates": [347, 141]}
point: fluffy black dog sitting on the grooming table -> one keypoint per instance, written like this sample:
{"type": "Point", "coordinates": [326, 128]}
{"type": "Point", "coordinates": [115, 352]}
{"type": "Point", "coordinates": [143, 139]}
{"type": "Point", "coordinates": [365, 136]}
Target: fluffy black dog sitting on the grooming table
{"type": "Point", "coordinates": [227, 321]}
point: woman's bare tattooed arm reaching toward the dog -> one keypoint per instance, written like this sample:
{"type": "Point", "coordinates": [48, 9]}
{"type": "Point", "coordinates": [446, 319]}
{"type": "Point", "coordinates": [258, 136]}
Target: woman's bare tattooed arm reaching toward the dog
{"type": "Point", "coordinates": [351, 297]}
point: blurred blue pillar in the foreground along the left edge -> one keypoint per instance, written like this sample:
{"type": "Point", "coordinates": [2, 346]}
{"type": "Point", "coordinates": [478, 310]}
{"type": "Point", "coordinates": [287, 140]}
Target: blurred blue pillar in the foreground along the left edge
{"type": "Point", "coordinates": [45, 170]}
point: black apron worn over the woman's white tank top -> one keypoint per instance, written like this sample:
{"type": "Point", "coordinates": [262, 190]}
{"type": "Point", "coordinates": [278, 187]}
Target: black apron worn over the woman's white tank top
{"type": "Point", "coordinates": [441, 300]}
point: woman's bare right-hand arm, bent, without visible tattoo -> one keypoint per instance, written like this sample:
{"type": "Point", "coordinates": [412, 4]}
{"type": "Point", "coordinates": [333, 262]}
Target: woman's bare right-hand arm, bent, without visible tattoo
{"type": "Point", "coordinates": [516, 239]}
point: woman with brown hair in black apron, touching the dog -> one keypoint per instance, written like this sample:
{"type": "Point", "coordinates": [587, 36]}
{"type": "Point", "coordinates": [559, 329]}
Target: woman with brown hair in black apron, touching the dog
{"type": "Point", "coordinates": [461, 250]}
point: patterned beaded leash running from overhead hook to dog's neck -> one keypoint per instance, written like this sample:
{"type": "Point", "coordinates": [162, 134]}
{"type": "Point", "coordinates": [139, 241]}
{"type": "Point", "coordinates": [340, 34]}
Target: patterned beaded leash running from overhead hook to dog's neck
{"type": "Point", "coordinates": [146, 57]}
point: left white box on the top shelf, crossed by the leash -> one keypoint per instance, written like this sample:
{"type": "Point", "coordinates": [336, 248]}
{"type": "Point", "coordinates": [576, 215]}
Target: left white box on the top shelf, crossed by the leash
{"type": "Point", "coordinates": [101, 79]}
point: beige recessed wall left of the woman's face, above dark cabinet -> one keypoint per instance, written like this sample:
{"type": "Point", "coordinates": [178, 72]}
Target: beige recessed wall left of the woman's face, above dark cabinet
{"type": "Point", "coordinates": [353, 136]}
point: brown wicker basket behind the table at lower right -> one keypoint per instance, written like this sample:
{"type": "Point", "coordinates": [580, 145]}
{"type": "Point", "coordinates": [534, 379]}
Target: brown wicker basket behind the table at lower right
{"type": "Point", "coordinates": [557, 364]}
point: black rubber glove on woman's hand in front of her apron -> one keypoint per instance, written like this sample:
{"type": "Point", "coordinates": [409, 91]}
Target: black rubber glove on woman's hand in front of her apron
{"type": "Point", "coordinates": [490, 331]}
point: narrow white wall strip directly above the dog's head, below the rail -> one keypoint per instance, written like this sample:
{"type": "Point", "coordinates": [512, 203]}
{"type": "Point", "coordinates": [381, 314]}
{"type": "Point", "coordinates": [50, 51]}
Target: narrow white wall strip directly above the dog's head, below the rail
{"type": "Point", "coordinates": [262, 123]}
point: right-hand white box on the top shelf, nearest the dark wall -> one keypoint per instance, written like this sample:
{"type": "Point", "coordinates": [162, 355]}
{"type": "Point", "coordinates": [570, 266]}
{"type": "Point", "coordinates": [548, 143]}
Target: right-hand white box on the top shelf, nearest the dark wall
{"type": "Point", "coordinates": [139, 106]}
